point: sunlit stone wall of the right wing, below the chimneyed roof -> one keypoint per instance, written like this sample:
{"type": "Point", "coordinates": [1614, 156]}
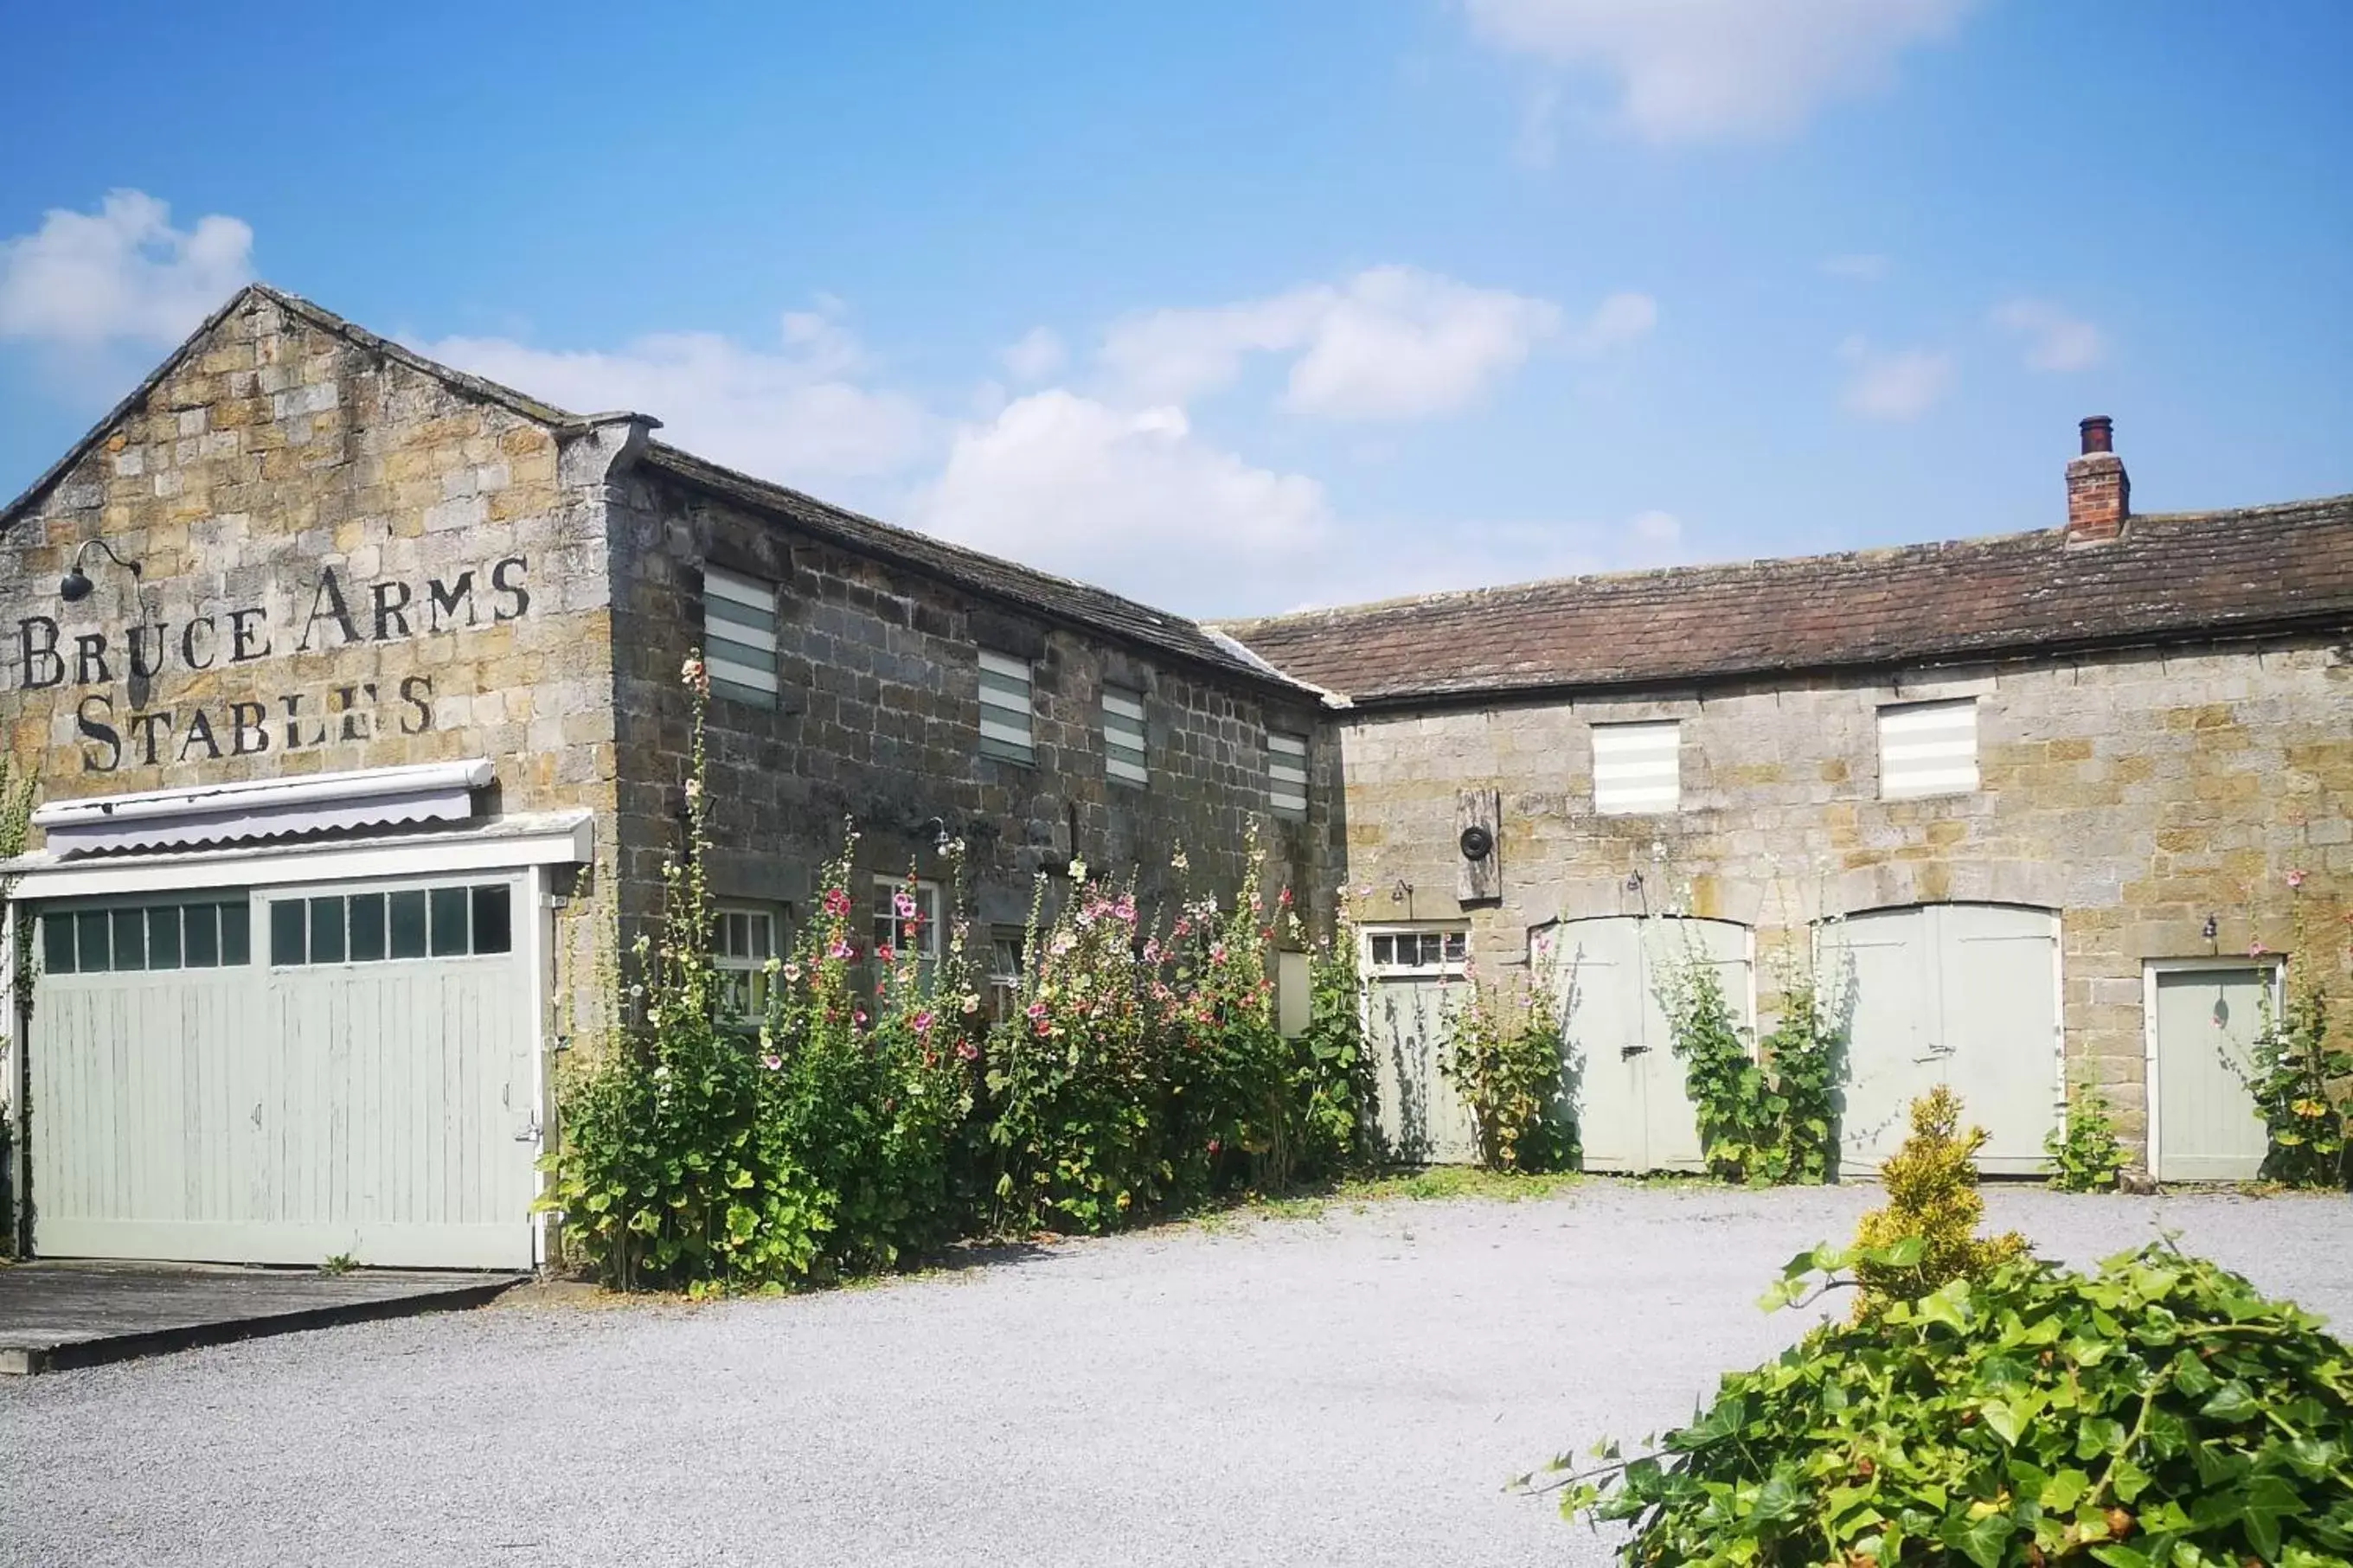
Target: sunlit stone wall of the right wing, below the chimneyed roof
{"type": "Point", "coordinates": [2138, 793]}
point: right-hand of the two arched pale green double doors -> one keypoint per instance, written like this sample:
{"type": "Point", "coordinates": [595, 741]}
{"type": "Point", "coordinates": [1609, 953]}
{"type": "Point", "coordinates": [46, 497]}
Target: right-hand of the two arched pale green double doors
{"type": "Point", "coordinates": [1964, 996]}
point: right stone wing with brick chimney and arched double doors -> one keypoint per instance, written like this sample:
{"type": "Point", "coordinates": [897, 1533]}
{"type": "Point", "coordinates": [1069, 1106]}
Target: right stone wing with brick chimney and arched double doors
{"type": "Point", "coordinates": [2034, 808]}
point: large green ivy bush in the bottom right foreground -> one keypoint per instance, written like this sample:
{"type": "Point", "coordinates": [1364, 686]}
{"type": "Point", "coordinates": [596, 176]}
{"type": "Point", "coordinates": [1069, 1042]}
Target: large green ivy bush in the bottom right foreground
{"type": "Point", "coordinates": [2157, 1414]}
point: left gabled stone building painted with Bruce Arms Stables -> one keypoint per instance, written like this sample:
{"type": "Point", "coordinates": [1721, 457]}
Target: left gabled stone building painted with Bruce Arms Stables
{"type": "Point", "coordinates": [352, 690]}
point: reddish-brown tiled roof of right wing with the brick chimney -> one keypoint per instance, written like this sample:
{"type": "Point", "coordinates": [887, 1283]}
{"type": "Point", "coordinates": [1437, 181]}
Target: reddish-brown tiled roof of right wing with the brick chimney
{"type": "Point", "coordinates": [2168, 579]}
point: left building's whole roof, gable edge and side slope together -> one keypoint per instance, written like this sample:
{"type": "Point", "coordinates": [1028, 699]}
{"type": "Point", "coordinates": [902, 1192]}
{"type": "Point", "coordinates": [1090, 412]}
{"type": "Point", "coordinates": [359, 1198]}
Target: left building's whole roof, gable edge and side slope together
{"type": "Point", "coordinates": [1036, 591]}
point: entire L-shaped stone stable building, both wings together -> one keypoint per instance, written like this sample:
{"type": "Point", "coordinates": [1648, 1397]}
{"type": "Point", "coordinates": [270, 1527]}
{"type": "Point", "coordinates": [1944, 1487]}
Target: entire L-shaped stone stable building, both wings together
{"type": "Point", "coordinates": [352, 692]}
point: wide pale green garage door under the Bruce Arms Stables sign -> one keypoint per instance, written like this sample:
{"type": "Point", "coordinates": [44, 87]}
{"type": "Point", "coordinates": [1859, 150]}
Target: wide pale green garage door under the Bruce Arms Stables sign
{"type": "Point", "coordinates": [286, 1076]}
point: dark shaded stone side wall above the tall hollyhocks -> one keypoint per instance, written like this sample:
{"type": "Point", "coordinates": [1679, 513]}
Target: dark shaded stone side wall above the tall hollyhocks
{"type": "Point", "coordinates": [881, 725]}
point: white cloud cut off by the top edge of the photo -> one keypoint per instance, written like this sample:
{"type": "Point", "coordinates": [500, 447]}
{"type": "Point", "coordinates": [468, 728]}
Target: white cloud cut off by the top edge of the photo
{"type": "Point", "coordinates": [1702, 69]}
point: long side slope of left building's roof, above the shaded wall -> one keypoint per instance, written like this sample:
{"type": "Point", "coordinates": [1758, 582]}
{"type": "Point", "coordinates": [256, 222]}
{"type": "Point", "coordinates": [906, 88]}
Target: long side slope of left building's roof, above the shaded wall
{"type": "Point", "coordinates": [987, 575]}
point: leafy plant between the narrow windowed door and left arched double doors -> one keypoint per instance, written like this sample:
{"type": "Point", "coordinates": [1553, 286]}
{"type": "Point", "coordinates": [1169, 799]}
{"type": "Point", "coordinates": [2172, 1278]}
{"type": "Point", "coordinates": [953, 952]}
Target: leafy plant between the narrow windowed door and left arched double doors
{"type": "Point", "coordinates": [1505, 1059]}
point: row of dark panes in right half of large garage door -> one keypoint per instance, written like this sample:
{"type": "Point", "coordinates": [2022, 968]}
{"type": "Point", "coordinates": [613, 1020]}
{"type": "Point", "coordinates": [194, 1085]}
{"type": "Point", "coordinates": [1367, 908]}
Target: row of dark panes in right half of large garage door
{"type": "Point", "coordinates": [446, 923]}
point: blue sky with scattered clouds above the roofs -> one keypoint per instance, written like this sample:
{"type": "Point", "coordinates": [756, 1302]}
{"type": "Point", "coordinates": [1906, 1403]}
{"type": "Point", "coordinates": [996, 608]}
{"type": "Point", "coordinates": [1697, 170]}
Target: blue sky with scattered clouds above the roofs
{"type": "Point", "coordinates": [1248, 307]}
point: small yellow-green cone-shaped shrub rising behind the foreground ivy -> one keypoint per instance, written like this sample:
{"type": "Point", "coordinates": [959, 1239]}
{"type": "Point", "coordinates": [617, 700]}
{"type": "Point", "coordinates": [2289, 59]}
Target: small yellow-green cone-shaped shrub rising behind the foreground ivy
{"type": "Point", "coordinates": [1931, 1200]}
